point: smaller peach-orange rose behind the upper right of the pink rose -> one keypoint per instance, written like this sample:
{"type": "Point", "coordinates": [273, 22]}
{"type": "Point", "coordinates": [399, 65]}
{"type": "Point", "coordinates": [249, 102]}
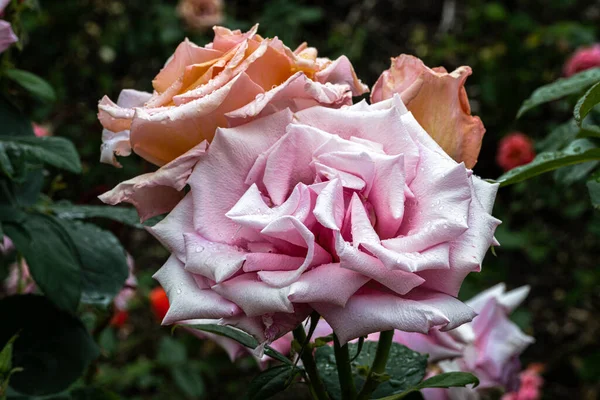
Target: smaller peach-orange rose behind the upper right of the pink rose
{"type": "Point", "coordinates": [438, 101]}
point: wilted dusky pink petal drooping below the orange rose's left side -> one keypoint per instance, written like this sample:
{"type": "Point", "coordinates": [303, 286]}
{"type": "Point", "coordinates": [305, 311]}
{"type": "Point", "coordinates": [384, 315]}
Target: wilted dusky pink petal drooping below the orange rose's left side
{"type": "Point", "coordinates": [157, 192]}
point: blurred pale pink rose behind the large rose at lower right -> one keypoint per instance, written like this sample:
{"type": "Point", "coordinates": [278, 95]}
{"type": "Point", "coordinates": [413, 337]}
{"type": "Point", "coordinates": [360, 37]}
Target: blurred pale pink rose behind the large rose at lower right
{"type": "Point", "coordinates": [488, 347]}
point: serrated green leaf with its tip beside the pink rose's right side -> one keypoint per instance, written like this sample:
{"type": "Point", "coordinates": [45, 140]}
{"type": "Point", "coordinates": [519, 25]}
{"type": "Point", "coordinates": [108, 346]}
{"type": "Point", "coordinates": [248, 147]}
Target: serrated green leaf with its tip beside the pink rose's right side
{"type": "Point", "coordinates": [579, 151]}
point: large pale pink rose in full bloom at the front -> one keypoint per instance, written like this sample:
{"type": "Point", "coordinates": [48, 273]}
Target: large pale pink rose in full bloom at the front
{"type": "Point", "coordinates": [356, 213]}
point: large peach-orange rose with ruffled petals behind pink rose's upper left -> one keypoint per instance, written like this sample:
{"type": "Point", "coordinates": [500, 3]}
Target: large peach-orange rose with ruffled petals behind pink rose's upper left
{"type": "Point", "coordinates": [234, 79]}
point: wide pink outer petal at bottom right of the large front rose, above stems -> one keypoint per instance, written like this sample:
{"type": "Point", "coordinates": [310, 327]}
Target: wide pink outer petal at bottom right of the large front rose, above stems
{"type": "Point", "coordinates": [375, 311]}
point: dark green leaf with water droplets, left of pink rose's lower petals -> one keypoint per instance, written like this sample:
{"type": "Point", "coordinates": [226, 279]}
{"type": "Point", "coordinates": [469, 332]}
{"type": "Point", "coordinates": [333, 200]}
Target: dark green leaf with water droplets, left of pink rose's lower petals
{"type": "Point", "coordinates": [103, 261]}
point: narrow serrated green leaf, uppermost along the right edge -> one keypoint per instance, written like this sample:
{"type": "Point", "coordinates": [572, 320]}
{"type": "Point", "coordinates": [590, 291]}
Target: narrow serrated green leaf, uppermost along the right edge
{"type": "Point", "coordinates": [560, 88]}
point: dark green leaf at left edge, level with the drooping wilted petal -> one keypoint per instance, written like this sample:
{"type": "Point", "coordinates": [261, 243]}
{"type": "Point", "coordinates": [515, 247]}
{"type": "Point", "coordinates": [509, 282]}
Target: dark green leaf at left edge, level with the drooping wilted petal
{"type": "Point", "coordinates": [55, 151]}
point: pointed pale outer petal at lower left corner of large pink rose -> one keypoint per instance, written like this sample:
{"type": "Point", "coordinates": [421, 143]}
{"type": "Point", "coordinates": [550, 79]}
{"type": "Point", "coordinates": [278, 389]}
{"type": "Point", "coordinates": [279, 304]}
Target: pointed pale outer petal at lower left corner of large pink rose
{"type": "Point", "coordinates": [186, 300]}
